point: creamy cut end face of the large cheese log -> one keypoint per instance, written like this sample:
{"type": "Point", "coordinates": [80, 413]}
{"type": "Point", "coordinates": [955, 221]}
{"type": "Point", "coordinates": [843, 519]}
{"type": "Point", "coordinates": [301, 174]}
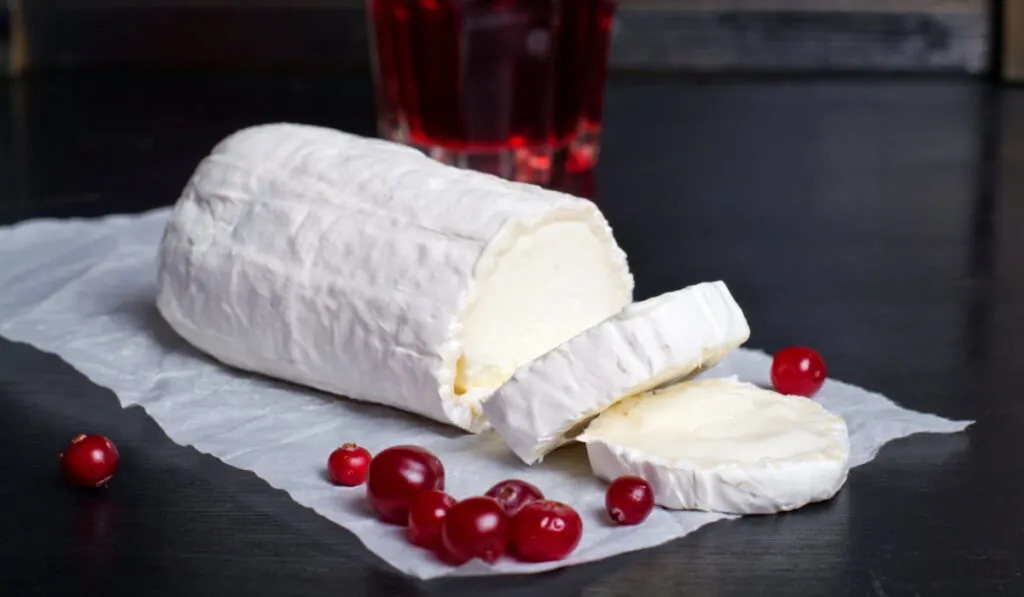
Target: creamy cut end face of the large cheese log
{"type": "Point", "coordinates": [547, 287]}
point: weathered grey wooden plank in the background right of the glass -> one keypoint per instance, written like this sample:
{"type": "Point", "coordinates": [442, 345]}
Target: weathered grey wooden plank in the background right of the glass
{"type": "Point", "coordinates": [802, 41]}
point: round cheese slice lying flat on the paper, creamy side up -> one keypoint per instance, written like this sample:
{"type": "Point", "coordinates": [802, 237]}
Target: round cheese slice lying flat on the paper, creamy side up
{"type": "Point", "coordinates": [723, 446]}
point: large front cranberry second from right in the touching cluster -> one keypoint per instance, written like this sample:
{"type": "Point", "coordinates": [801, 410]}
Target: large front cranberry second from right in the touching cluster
{"type": "Point", "coordinates": [477, 528]}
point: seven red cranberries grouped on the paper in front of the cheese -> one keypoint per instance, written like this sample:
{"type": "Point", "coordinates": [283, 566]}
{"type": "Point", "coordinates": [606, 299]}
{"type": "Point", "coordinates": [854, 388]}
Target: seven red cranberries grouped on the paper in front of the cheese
{"type": "Point", "coordinates": [406, 486]}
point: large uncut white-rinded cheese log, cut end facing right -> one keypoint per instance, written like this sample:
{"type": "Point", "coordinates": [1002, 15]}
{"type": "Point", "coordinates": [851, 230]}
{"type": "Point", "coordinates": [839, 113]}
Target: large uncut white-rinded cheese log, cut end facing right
{"type": "Point", "coordinates": [365, 269]}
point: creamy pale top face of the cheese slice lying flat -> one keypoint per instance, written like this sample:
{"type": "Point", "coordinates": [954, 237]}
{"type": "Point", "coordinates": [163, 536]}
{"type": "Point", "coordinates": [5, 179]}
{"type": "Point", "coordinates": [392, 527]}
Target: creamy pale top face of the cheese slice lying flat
{"type": "Point", "coordinates": [719, 421]}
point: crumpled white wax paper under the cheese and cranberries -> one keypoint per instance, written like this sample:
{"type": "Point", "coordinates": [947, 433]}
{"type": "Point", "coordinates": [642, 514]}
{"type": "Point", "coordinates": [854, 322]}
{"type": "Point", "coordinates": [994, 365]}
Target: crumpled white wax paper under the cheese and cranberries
{"type": "Point", "coordinates": [86, 290]}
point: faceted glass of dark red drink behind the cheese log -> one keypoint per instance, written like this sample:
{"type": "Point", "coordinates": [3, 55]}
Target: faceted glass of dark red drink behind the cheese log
{"type": "Point", "coordinates": [510, 88]}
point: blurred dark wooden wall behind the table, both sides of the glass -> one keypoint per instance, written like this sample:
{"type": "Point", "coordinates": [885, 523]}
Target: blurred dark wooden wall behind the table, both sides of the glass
{"type": "Point", "coordinates": [898, 36]}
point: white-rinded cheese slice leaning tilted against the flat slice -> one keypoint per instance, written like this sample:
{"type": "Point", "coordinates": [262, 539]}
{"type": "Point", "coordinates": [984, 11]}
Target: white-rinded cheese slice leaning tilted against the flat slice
{"type": "Point", "coordinates": [649, 345]}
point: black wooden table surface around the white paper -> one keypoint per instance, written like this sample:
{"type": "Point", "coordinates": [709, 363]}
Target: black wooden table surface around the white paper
{"type": "Point", "coordinates": [877, 221]}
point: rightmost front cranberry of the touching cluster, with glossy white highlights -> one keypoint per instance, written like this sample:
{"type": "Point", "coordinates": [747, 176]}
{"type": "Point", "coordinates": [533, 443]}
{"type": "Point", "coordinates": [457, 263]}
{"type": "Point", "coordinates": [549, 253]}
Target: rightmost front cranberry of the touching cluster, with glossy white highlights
{"type": "Point", "coordinates": [546, 531]}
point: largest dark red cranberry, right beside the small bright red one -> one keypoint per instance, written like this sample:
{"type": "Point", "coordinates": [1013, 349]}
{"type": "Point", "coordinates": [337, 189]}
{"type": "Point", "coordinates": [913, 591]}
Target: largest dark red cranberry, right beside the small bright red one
{"type": "Point", "coordinates": [397, 476]}
